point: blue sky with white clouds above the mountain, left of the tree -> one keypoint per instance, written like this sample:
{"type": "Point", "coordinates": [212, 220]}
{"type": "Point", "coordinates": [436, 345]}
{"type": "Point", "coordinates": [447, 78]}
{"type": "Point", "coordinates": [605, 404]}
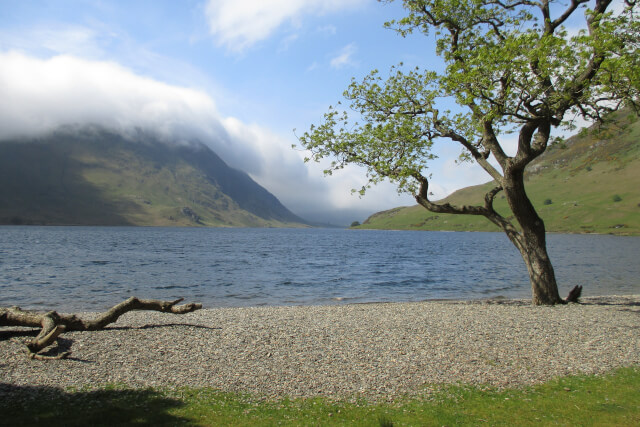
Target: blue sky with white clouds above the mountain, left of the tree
{"type": "Point", "coordinates": [239, 75]}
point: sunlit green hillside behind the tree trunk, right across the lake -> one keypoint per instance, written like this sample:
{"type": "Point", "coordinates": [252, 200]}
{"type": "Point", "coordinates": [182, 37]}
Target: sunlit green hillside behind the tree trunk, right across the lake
{"type": "Point", "coordinates": [589, 184]}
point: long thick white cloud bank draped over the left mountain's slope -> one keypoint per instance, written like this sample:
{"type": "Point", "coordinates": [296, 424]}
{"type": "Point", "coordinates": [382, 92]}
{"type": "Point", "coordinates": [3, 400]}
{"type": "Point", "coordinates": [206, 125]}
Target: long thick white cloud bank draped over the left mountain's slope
{"type": "Point", "coordinates": [39, 95]}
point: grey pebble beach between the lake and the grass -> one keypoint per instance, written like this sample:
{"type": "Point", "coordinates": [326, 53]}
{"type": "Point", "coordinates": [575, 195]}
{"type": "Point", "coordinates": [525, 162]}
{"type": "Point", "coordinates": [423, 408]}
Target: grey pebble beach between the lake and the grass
{"type": "Point", "coordinates": [377, 351]}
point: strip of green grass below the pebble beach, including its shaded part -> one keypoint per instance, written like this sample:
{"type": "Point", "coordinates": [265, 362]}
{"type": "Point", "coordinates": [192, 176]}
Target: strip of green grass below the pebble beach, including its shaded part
{"type": "Point", "coordinates": [612, 399]}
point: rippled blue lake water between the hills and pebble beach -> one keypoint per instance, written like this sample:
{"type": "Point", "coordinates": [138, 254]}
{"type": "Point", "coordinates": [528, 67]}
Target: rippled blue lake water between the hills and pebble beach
{"type": "Point", "coordinates": [92, 268]}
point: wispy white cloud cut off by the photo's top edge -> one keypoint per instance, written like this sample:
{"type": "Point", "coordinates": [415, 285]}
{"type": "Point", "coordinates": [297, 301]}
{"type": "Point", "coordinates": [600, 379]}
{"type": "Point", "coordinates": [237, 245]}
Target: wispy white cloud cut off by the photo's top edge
{"type": "Point", "coordinates": [239, 24]}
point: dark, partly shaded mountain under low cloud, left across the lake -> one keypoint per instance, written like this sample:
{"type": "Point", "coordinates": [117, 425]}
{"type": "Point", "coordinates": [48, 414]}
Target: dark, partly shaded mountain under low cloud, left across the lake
{"type": "Point", "coordinates": [92, 176]}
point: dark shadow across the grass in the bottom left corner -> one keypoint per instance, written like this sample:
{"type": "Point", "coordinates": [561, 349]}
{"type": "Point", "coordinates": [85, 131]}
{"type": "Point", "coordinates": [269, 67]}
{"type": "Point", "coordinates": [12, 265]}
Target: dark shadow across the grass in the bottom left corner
{"type": "Point", "coordinates": [52, 406]}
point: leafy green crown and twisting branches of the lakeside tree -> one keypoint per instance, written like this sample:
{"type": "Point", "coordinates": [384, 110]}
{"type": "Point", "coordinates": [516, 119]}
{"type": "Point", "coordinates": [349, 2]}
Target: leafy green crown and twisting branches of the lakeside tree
{"type": "Point", "coordinates": [512, 66]}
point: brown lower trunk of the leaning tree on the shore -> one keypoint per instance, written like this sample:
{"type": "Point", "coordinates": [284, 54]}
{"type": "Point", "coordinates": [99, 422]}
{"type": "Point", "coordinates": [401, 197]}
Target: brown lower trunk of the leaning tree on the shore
{"type": "Point", "coordinates": [531, 242]}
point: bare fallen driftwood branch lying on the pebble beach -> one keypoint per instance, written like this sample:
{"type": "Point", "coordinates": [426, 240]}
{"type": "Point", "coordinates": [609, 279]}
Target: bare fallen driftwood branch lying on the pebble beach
{"type": "Point", "coordinates": [53, 324]}
